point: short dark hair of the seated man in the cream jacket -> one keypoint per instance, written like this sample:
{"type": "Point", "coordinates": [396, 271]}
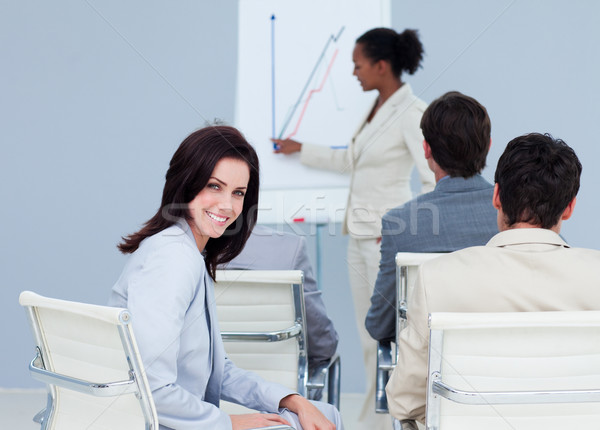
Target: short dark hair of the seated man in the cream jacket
{"type": "Point", "coordinates": [537, 177]}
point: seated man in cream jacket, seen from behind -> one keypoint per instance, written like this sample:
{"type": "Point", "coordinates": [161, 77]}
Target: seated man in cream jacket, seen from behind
{"type": "Point", "coordinates": [525, 267]}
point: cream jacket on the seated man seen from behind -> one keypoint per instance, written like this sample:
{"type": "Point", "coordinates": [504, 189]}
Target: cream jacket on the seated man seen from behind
{"type": "Point", "coordinates": [518, 270]}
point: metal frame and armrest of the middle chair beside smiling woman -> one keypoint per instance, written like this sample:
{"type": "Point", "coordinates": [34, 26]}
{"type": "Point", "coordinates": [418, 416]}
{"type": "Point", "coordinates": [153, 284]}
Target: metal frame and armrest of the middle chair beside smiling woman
{"type": "Point", "coordinates": [331, 371]}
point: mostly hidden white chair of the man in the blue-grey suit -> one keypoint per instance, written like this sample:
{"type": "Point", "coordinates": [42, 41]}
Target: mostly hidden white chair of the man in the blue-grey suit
{"type": "Point", "coordinates": [407, 264]}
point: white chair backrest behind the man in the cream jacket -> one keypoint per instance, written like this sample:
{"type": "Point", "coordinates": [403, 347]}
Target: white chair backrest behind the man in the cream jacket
{"type": "Point", "coordinates": [522, 370]}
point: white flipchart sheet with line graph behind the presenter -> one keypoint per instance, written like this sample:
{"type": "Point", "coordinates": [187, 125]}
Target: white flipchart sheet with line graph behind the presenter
{"type": "Point", "coordinates": [295, 80]}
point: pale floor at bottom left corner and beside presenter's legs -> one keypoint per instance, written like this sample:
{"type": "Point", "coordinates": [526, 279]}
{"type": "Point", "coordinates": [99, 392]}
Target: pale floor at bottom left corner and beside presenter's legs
{"type": "Point", "coordinates": [17, 407]}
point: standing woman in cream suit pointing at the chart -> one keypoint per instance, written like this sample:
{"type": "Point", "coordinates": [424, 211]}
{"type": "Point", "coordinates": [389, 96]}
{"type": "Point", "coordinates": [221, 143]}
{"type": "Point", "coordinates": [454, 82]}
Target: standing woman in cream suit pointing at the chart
{"type": "Point", "coordinates": [380, 158]}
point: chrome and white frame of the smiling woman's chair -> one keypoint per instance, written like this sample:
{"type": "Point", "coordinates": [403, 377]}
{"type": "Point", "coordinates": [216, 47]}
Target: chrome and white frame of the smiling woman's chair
{"type": "Point", "coordinates": [39, 371]}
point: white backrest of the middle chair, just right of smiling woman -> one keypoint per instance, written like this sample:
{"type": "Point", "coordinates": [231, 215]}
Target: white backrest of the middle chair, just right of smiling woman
{"type": "Point", "coordinates": [262, 320]}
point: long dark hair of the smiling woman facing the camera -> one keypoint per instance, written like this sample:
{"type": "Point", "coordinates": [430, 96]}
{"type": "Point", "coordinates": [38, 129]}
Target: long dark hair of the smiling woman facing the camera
{"type": "Point", "coordinates": [189, 172]}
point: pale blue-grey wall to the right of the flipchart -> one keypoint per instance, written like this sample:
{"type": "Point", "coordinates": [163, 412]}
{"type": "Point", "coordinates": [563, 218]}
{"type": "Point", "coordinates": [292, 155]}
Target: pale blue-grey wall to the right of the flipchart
{"type": "Point", "coordinates": [533, 63]}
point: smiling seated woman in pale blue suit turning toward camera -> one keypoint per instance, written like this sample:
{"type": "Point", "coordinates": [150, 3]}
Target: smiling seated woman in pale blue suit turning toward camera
{"type": "Point", "coordinates": [206, 215]}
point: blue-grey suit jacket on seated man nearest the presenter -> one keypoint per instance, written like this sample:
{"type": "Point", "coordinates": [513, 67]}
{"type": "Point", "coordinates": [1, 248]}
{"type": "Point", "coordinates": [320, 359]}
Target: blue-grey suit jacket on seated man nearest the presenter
{"type": "Point", "coordinates": [457, 214]}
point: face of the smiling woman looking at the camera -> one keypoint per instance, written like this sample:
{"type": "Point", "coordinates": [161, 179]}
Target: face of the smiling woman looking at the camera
{"type": "Point", "coordinates": [221, 201]}
